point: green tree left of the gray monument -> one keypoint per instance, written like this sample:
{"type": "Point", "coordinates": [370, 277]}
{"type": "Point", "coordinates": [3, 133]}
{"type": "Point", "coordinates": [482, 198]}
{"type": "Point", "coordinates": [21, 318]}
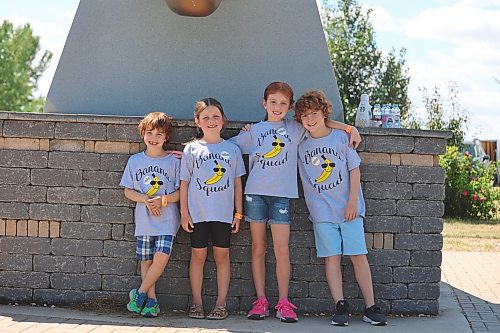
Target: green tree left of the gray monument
{"type": "Point", "coordinates": [20, 68]}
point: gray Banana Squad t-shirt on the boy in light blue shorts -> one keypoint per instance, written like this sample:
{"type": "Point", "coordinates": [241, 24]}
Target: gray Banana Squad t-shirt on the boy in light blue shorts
{"type": "Point", "coordinates": [324, 165]}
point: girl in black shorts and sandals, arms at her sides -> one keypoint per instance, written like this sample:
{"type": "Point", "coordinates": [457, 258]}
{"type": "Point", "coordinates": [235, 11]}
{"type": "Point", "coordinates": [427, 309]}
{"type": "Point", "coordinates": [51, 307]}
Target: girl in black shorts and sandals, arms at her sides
{"type": "Point", "coordinates": [211, 202]}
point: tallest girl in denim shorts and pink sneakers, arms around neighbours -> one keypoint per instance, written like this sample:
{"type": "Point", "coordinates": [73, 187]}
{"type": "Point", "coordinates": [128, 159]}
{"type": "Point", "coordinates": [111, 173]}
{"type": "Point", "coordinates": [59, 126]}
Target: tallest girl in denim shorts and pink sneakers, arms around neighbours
{"type": "Point", "coordinates": [272, 181]}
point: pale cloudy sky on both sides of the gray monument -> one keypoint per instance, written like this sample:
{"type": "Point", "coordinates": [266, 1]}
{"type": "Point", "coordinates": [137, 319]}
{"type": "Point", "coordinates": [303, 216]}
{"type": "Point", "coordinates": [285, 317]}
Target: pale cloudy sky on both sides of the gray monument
{"type": "Point", "coordinates": [446, 40]}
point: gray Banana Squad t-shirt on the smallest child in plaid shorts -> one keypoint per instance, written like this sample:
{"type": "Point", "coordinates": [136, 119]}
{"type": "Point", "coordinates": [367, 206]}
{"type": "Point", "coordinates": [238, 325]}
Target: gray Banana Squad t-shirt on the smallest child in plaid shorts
{"type": "Point", "coordinates": [154, 176]}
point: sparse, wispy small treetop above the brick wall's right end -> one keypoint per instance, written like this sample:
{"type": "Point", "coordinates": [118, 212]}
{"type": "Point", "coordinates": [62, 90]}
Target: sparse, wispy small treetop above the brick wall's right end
{"type": "Point", "coordinates": [442, 114]}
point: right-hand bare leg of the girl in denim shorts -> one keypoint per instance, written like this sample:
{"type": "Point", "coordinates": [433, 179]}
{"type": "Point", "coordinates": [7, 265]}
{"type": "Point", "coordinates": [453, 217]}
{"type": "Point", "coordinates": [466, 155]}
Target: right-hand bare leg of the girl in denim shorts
{"type": "Point", "coordinates": [281, 235]}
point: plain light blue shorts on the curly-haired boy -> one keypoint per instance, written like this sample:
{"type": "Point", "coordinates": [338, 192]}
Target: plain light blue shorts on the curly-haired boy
{"type": "Point", "coordinates": [347, 238]}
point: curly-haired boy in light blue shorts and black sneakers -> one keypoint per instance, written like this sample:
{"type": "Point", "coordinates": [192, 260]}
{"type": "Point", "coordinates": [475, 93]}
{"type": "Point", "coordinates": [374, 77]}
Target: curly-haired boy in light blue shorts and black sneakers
{"type": "Point", "coordinates": [329, 170]}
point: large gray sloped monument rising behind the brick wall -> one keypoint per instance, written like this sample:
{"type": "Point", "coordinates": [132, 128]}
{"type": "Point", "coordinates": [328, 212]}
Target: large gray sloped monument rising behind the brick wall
{"type": "Point", "coordinates": [132, 57]}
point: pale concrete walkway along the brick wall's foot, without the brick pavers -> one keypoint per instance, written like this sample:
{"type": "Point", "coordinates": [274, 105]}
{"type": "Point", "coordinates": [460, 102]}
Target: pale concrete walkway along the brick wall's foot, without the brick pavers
{"type": "Point", "coordinates": [56, 320]}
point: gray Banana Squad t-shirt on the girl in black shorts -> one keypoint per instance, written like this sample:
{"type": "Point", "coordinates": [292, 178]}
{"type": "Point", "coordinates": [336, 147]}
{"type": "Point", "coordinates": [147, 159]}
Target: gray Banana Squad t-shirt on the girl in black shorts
{"type": "Point", "coordinates": [210, 170]}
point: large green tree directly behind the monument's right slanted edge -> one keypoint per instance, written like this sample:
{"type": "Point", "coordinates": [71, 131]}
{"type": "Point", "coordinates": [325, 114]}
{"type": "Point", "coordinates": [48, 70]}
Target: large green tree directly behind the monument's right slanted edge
{"type": "Point", "coordinates": [359, 65]}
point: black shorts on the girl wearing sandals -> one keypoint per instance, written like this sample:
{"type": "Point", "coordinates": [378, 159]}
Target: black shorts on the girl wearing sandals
{"type": "Point", "coordinates": [220, 233]}
